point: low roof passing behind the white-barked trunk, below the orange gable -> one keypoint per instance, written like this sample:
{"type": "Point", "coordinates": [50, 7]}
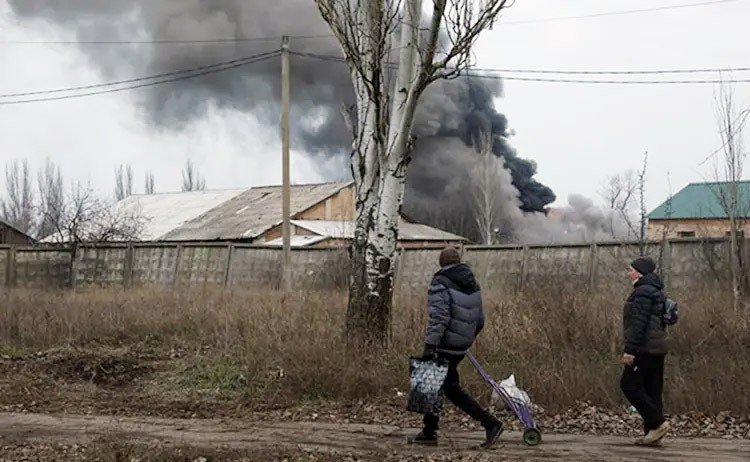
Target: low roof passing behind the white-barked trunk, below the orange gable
{"type": "Point", "coordinates": [406, 232]}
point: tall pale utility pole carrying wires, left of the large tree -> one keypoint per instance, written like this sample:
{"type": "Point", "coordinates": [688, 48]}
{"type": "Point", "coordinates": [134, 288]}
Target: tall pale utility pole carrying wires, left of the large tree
{"type": "Point", "coordinates": [286, 193]}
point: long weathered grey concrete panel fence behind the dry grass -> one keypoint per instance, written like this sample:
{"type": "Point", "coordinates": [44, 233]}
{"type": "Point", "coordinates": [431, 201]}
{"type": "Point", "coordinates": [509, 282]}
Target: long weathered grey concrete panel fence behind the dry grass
{"type": "Point", "coordinates": [505, 270]}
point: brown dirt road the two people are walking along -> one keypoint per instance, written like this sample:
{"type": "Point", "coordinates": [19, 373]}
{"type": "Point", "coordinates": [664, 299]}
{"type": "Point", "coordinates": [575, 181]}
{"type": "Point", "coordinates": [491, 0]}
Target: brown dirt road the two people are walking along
{"type": "Point", "coordinates": [354, 441]}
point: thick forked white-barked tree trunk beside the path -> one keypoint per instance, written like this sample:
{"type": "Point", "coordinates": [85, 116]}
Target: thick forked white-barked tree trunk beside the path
{"type": "Point", "coordinates": [382, 145]}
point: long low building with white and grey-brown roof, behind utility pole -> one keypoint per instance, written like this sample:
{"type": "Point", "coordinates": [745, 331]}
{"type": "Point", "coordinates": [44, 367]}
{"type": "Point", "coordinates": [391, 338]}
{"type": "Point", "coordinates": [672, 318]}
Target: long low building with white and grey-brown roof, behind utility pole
{"type": "Point", "coordinates": [321, 216]}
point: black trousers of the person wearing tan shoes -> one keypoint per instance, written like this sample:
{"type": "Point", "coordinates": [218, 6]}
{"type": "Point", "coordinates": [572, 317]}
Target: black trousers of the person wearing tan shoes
{"type": "Point", "coordinates": [643, 384]}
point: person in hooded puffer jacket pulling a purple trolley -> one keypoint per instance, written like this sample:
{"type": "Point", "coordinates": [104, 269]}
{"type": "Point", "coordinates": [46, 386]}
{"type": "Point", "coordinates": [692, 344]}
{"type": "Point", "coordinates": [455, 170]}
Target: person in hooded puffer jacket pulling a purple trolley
{"type": "Point", "coordinates": [455, 319]}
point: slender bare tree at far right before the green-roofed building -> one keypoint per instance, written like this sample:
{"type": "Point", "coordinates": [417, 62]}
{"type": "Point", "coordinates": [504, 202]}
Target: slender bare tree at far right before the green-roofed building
{"type": "Point", "coordinates": [728, 169]}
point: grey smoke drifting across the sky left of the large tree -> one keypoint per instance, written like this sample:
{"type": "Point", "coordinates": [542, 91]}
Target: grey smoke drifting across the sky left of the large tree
{"type": "Point", "coordinates": [318, 87]}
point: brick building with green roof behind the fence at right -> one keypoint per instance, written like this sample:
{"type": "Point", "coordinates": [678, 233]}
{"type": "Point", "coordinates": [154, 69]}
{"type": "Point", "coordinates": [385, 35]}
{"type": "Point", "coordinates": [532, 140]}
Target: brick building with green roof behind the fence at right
{"type": "Point", "coordinates": [698, 211]}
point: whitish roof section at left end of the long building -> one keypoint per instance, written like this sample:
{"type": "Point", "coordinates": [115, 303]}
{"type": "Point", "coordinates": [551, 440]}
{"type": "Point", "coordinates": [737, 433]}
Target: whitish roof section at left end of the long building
{"type": "Point", "coordinates": [163, 212]}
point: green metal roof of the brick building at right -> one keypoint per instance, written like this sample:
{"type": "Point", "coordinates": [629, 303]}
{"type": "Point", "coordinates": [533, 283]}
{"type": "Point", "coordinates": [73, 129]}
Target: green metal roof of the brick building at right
{"type": "Point", "coordinates": [702, 200]}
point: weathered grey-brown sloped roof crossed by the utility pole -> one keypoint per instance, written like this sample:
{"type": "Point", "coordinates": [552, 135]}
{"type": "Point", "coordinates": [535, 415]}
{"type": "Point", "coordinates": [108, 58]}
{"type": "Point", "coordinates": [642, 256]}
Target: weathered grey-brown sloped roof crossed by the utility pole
{"type": "Point", "coordinates": [251, 213]}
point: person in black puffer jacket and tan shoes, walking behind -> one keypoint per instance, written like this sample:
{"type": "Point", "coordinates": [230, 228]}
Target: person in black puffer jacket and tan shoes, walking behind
{"type": "Point", "coordinates": [645, 348]}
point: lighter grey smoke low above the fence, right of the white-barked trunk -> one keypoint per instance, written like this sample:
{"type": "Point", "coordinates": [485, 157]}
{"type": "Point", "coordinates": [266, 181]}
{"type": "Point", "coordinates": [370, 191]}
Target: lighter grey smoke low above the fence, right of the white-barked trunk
{"type": "Point", "coordinates": [449, 173]}
